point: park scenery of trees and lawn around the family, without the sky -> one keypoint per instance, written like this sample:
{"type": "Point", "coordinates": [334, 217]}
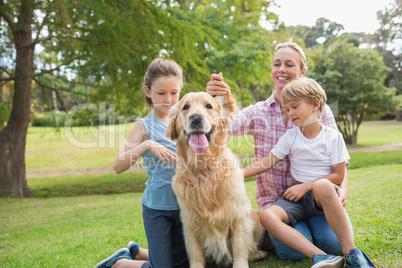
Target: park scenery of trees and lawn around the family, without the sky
{"type": "Point", "coordinates": [70, 82]}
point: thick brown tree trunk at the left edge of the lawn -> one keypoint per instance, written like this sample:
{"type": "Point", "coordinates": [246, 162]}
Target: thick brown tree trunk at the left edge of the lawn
{"type": "Point", "coordinates": [13, 136]}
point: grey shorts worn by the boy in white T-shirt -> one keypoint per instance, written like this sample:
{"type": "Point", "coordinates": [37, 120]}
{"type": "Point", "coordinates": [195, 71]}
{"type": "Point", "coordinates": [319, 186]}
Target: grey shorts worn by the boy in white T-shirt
{"type": "Point", "coordinates": [305, 208]}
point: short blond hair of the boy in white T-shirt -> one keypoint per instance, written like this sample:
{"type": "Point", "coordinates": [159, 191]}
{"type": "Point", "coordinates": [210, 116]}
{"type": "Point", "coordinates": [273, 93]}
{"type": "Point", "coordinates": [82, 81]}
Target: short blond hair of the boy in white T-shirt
{"type": "Point", "coordinates": [304, 88]}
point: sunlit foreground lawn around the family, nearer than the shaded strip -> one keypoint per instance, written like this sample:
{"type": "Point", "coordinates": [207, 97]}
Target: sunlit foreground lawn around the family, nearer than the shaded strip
{"type": "Point", "coordinates": [79, 231]}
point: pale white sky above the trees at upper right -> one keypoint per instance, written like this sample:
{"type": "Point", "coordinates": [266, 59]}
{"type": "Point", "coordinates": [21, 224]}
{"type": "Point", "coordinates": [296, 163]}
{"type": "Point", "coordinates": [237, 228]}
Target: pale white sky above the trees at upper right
{"type": "Point", "coordinates": [354, 15]}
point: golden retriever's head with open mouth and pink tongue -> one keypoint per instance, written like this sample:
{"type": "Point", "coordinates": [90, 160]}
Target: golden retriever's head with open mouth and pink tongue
{"type": "Point", "coordinates": [201, 121]}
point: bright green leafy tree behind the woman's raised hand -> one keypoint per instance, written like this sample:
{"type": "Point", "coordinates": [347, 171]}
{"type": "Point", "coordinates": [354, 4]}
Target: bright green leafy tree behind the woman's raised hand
{"type": "Point", "coordinates": [243, 48]}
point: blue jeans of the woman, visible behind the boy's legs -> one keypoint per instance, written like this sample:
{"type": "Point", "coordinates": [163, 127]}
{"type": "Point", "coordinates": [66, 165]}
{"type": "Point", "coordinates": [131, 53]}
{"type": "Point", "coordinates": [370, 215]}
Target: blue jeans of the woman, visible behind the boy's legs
{"type": "Point", "coordinates": [316, 230]}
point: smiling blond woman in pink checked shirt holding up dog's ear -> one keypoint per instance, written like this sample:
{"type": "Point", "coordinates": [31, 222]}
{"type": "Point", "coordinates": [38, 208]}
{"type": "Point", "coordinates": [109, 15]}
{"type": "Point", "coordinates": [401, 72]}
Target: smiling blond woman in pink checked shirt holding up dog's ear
{"type": "Point", "coordinates": [267, 121]}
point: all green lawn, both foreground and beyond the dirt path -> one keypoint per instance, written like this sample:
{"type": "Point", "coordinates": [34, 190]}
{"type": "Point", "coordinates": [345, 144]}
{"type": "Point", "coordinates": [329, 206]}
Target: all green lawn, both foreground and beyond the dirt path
{"type": "Point", "coordinates": [81, 219]}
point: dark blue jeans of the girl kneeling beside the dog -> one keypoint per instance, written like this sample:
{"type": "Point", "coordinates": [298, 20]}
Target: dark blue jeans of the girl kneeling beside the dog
{"type": "Point", "coordinates": [164, 232]}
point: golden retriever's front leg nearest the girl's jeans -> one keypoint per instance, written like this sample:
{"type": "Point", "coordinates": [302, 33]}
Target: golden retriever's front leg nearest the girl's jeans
{"type": "Point", "coordinates": [194, 248]}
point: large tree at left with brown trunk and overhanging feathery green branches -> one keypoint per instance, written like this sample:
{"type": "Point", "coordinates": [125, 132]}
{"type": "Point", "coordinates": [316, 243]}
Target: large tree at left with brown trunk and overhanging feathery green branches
{"type": "Point", "coordinates": [98, 40]}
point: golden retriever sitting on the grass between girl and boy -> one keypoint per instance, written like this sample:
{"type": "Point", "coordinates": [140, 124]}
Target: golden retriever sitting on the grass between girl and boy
{"type": "Point", "coordinates": [219, 223]}
